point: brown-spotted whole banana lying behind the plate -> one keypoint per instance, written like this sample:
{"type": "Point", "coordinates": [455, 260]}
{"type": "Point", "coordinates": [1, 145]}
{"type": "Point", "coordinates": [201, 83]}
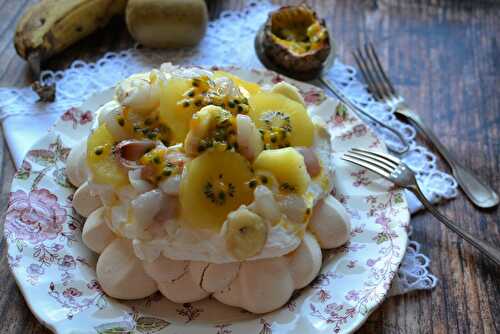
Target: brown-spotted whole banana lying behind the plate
{"type": "Point", "coordinates": [50, 26]}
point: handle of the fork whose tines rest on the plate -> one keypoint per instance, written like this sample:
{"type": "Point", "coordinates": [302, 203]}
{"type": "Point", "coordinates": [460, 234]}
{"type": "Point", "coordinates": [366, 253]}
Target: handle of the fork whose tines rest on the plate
{"type": "Point", "coordinates": [491, 252]}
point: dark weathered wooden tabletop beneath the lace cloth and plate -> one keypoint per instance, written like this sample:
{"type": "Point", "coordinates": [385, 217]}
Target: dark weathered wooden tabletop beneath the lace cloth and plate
{"type": "Point", "coordinates": [444, 56]}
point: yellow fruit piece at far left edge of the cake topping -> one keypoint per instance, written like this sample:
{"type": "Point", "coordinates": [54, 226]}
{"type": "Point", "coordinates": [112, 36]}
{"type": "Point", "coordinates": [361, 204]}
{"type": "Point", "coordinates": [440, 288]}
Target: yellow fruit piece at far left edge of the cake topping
{"type": "Point", "coordinates": [101, 160]}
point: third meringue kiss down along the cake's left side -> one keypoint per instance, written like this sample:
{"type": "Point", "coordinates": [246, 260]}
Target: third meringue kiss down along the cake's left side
{"type": "Point", "coordinates": [96, 234]}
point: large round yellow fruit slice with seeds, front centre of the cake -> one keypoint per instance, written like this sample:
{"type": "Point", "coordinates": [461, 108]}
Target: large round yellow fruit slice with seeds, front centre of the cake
{"type": "Point", "coordinates": [214, 184]}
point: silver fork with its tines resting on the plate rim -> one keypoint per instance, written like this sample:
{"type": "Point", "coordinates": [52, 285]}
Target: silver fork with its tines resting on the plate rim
{"type": "Point", "coordinates": [398, 172]}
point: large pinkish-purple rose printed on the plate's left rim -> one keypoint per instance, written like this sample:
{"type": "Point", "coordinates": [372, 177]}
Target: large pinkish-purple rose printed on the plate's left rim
{"type": "Point", "coordinates": [34, 216]}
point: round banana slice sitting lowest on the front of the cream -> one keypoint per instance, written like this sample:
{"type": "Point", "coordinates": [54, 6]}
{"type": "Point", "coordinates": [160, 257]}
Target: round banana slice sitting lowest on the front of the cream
{"type": "Point", "coordinates": [245, 234]}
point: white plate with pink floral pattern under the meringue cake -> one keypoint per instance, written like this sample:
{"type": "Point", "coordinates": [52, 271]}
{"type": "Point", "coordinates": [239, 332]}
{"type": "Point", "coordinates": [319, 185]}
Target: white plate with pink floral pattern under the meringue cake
{"type": "Point", "coordinates": [55, 271]}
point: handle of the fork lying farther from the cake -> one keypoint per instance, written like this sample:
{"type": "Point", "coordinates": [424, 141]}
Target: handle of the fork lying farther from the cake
{"type": "Point", "coordinates": [479, 193]}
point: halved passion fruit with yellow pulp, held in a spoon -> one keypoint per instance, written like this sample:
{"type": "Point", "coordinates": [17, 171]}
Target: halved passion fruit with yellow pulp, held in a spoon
{"type": "Point", "coordinates": [295, 40]}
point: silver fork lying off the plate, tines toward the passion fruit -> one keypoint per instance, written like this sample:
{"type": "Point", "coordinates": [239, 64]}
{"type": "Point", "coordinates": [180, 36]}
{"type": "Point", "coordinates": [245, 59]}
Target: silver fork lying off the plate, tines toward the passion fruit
{"type": "Point", "coordinates": [382, 89]}
